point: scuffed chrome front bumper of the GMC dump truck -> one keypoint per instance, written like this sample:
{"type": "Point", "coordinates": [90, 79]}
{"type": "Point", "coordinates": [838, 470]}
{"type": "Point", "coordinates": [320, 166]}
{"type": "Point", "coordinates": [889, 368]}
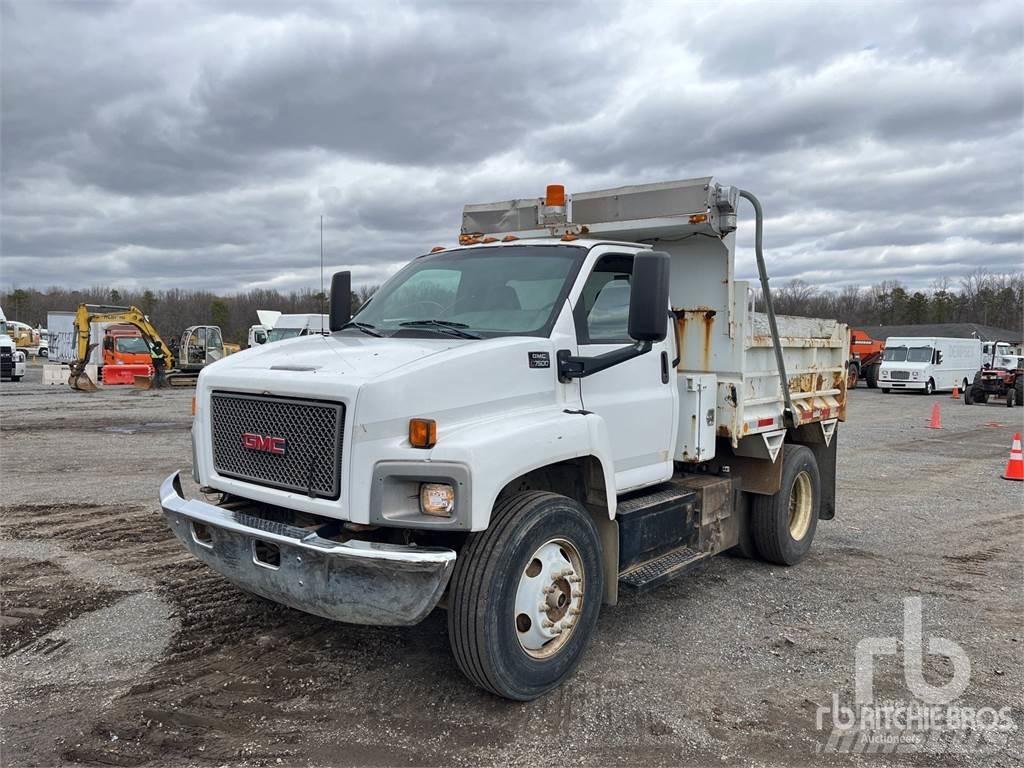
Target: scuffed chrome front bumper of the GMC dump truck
{"type": "Point", "coordinates": [356, 582]}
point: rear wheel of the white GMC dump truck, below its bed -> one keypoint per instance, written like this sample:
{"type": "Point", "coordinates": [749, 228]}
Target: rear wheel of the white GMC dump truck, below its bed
{"type": "Point", "coordinates": [784, 525]}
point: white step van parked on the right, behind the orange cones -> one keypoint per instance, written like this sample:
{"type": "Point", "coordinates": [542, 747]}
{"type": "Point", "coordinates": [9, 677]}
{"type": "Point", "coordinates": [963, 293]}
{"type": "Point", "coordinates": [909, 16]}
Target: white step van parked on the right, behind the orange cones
{"type": "Point", "coordinates": [929, 364]}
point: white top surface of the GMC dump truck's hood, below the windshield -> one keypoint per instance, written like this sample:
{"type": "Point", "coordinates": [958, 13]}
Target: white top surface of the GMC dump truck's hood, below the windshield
{"type": "Point", "coordinates": [356, 358]}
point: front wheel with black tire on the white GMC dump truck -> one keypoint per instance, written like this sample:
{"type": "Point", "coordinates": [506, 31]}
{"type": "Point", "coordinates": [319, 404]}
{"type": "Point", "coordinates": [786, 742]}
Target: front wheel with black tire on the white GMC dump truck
{"type": "Point", "coordinates": [526, 595]}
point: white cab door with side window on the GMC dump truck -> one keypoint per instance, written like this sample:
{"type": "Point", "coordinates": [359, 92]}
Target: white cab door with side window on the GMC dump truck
{"type": "Point", "coordinates": [636, 399]}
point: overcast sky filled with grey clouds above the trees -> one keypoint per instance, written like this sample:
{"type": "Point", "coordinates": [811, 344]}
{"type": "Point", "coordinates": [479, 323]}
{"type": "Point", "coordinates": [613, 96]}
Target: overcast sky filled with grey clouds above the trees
{"type": "Point", "coordinates": [189, 145]}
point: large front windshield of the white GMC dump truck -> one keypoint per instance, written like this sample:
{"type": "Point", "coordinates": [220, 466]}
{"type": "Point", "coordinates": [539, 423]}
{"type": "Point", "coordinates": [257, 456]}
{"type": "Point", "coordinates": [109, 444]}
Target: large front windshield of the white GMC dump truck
{"type": "Point", "coordinates": [511, 290]}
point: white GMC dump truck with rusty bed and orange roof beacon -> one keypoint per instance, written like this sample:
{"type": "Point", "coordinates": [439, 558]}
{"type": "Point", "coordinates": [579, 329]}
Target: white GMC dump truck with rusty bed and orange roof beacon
{"type": "Point", "coordinates": [578, 400]}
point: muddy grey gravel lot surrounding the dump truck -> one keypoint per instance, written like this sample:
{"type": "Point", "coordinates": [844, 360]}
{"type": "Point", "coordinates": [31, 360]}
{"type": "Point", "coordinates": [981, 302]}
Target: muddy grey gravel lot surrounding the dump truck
{"type": "Point", "coordinates": [119, 649]}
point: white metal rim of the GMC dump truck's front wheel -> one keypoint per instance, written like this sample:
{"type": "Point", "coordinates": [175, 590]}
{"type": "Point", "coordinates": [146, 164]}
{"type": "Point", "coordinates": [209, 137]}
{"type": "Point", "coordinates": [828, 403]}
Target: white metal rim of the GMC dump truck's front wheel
{"type": "Point", "coordinates": [549, 599]}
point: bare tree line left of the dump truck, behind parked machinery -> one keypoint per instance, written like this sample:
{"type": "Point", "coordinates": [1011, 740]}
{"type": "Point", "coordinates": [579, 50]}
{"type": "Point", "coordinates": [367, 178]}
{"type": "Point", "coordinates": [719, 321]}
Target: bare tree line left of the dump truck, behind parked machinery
{"type": "Point", "coordinates": [175, 311]}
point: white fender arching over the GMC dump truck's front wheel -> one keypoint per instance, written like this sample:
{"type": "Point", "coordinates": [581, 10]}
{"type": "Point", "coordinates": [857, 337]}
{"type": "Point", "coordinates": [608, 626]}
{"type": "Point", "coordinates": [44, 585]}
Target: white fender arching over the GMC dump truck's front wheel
{"type": "Point", "coordinates": [501, 450]}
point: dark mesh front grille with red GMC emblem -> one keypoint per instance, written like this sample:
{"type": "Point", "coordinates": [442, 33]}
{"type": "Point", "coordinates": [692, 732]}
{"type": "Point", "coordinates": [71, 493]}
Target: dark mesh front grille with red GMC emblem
{"type": "Point", "coordinates": [283, 443]}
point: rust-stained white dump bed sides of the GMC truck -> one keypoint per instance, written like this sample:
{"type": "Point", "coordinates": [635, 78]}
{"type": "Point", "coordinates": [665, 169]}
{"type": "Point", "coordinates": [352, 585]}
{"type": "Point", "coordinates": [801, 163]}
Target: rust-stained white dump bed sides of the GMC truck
{"type": "Point", "coordinates": [742, 356]}
